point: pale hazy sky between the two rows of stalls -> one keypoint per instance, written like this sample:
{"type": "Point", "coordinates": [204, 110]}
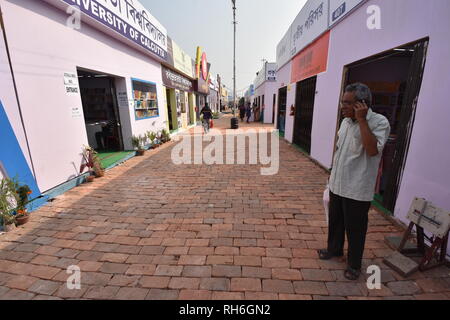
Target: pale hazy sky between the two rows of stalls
{"type": "Point", "coordinates": [208, 23]}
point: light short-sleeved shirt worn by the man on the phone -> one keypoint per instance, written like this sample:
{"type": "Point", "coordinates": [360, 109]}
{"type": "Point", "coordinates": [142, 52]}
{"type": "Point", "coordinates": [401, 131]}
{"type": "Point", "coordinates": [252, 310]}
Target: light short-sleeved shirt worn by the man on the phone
{"type": "Point", "coordinates": [354, 172]}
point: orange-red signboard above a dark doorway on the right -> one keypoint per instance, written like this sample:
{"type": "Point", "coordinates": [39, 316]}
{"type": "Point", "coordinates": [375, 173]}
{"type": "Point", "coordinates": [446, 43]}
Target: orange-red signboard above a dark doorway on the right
{"type": "Point", "coordinates": [312, 60]}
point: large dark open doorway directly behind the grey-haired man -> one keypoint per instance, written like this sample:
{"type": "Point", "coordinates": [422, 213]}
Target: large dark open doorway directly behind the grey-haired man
{"type": "Point", "coordinates": [395, 78]}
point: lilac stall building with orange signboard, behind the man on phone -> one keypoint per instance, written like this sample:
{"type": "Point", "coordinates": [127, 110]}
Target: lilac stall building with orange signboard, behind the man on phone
{"type": "Point", "coordinates": [399, 49]}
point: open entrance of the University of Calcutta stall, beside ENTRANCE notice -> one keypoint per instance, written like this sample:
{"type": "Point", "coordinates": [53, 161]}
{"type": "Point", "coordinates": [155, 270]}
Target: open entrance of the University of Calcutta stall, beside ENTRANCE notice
{"type": "Point", "coordinates": [101, 113]}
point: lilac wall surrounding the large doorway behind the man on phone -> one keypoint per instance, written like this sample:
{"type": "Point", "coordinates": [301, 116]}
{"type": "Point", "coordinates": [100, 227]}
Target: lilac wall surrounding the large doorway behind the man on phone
{"type": "Point", "coordinates": [426, 173]}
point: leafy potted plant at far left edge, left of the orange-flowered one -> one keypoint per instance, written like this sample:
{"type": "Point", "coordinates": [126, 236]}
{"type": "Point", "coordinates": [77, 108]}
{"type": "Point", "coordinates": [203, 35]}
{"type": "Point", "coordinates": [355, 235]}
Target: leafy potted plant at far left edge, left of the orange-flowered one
{"type": "Point", "coordinates": [8, 202]}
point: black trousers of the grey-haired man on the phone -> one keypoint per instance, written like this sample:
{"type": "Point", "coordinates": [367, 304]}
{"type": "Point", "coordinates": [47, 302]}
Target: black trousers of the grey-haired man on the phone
{"type": "Point", "coordinates": [348, 217]}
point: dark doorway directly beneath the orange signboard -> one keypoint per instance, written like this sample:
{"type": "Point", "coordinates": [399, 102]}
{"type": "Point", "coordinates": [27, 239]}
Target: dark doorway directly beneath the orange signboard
{"type": "Point", "coordinates": [304, 112]}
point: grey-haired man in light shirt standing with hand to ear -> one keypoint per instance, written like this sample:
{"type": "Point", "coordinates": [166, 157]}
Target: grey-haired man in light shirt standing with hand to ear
{"type": "Point", "coordinates": [361, 139]}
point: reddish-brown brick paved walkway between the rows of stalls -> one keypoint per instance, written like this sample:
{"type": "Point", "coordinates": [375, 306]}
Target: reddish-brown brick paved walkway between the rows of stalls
{"type": "Point", "coordinates": [154, 230]}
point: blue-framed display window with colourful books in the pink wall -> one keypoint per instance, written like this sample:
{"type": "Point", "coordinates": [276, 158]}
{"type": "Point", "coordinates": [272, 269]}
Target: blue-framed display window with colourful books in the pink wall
{"type": "Point", "coordinates": [145, 99]}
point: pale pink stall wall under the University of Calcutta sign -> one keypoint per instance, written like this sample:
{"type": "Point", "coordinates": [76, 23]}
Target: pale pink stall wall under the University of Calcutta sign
{"type": "Point", "coordinates": [42, 49]}
